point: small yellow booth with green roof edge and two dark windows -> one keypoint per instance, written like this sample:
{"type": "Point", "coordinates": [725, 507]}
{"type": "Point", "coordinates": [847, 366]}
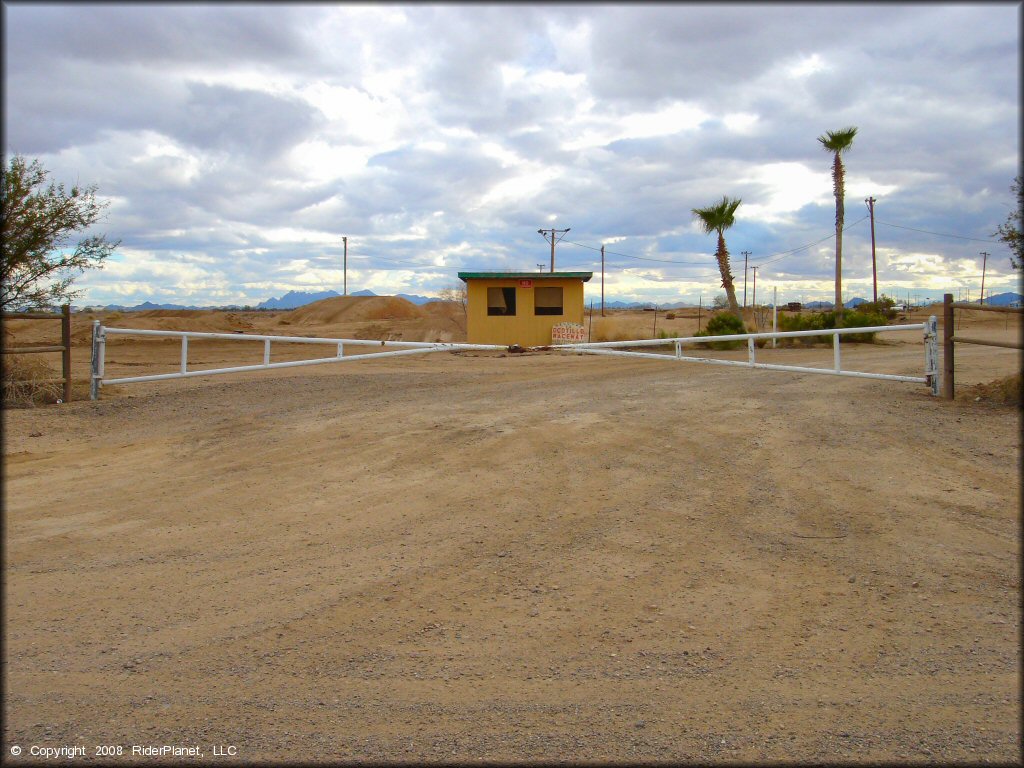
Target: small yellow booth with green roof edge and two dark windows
{"type": "Point", "coordinates": [522, 308]}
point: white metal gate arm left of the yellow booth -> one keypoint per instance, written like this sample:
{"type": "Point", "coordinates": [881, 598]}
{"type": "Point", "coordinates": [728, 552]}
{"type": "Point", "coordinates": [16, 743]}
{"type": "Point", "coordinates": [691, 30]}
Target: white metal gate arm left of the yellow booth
{"type": "Point", "coordinates": [100, 334]}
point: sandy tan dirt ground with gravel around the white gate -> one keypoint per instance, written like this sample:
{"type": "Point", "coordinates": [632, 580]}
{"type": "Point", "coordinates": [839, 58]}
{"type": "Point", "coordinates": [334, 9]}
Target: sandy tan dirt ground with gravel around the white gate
{"type": "Point", "coordinates": [516, 558]}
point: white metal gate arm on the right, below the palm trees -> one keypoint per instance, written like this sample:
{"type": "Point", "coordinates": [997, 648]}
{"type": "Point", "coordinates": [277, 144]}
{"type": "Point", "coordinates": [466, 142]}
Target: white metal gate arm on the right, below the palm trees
{"type": "Point", "coordinates": [930, 330]}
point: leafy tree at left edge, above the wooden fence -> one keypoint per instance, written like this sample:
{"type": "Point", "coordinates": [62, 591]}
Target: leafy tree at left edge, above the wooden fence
{"type": "Point", "coordinates": [37, 268]}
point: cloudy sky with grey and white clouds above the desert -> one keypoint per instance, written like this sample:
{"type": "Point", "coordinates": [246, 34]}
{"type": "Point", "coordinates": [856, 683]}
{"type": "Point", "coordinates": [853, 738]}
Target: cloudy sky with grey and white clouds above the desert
{"type": "Point", "coordinates": [239, 145]}
